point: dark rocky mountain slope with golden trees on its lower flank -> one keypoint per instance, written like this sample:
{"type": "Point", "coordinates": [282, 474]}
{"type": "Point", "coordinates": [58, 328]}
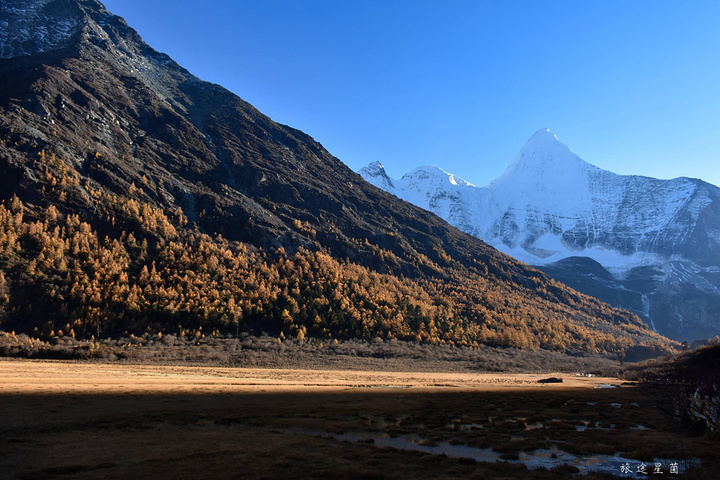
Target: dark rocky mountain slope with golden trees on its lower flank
{"type": "Point", "coordinates": [139, 198]}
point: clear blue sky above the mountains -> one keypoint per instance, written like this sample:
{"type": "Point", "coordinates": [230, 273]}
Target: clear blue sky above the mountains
{"type": "Point", "coordinates": [630, 86]}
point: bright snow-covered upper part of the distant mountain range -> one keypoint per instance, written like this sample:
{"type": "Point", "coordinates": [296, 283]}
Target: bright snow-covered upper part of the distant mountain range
{"type": "Point", "coordinates": [550, 204]}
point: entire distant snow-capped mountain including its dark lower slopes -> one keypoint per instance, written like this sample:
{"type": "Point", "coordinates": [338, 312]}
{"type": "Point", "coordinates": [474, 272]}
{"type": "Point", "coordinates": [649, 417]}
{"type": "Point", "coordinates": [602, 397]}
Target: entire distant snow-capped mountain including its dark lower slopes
{"type": "Point", "coordinates": [649, 245]}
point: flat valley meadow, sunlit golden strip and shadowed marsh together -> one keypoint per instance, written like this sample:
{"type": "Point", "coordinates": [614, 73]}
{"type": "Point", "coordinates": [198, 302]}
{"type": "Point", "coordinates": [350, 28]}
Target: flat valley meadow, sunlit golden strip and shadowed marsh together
{"type": "Point", "coordinates": [84, 420]}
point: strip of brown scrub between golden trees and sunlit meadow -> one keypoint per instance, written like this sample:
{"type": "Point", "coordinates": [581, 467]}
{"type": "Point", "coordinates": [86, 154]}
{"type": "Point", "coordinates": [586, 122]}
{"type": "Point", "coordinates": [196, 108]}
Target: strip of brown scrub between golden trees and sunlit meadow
{"type": "Point", "coordinates": [269, 352]}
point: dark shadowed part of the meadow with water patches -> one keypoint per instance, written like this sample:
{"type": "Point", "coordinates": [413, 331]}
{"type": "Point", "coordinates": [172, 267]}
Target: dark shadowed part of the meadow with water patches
{"type": "Point", "coordinates": [351, 433]}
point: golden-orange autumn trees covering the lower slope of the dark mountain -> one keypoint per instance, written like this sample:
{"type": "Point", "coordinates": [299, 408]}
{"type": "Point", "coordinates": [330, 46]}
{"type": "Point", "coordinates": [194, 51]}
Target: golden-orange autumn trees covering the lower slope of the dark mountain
{"type": "Point", "coordinates": [60, 276]}
